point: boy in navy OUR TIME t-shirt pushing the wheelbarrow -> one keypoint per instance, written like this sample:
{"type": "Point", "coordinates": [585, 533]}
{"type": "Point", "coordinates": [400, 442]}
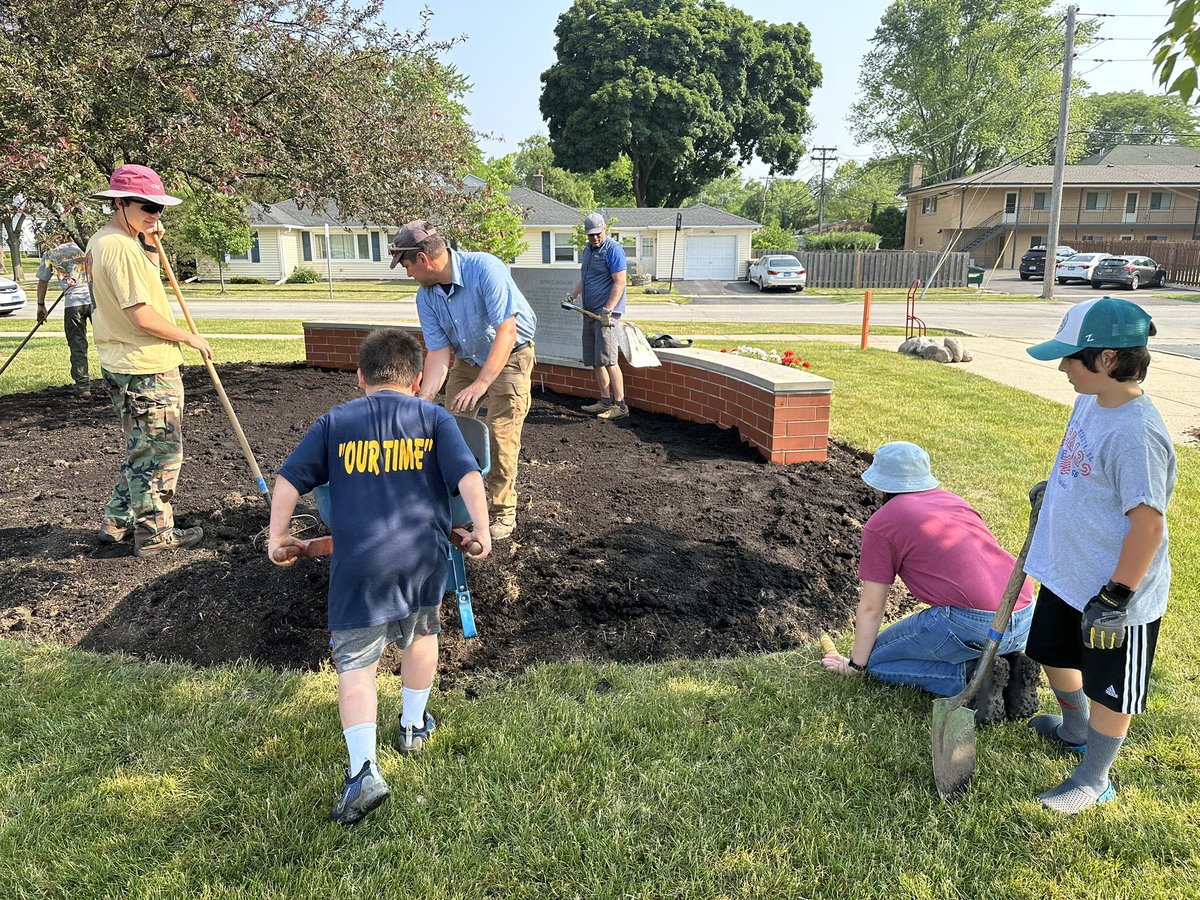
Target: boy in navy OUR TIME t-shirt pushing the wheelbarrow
{"type": "Point", "coordinates": [392, 461]}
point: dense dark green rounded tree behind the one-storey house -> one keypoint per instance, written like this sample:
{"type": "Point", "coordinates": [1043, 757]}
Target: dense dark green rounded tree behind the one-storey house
{"type": "Point", "coordinates": [683, 88]}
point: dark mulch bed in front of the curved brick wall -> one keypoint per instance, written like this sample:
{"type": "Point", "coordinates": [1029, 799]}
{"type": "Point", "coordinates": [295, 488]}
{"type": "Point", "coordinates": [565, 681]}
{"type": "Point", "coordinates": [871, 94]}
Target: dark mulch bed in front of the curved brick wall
{"type": "Point", "coordinates": [638, 541]}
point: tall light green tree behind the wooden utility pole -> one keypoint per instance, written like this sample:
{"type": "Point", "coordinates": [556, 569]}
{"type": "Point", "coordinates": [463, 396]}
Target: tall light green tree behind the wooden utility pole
{"type": "Point", "coordinates": [963, 86]}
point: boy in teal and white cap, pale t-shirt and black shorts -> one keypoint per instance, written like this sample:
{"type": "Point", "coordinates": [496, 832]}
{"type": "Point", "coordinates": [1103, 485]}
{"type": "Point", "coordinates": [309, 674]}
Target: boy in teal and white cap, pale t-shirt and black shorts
{"type": "Point", "coordinates": [1100, 550]}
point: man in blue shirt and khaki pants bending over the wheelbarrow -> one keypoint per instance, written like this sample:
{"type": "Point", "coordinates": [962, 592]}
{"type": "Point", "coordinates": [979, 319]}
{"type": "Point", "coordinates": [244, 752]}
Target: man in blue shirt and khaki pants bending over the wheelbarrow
{"type": "Point", "coordinates": [473, 311]}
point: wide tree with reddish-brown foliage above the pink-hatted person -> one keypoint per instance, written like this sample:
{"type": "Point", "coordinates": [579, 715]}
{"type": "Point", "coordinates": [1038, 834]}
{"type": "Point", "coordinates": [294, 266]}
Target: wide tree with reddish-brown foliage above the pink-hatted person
{"type": "Point", "coordinates": [319, 101]}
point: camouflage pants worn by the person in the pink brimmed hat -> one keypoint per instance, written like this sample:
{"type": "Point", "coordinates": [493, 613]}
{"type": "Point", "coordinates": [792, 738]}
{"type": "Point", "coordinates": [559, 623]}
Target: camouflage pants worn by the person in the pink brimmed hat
{"type": "Point", "coordinates": [152, 411]}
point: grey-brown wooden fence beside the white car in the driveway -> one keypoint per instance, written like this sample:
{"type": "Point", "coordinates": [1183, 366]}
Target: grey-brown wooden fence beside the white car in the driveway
{"type": "Point", "coordinates": [878, 268]}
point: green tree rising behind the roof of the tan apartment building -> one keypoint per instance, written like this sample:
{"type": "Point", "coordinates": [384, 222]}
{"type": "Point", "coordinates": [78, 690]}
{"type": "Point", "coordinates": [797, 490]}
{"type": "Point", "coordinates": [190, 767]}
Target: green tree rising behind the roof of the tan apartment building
{"type": "Point", "coordinates": [1139, 118]}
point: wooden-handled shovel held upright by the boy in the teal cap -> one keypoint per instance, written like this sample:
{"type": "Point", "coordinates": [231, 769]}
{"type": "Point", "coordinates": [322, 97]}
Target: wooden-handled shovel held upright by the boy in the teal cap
{"type": "Point", "coordinates": [953, 721]}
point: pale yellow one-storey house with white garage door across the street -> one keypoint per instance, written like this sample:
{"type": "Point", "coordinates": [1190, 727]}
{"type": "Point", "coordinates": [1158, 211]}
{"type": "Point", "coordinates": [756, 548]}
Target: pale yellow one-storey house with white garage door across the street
{"type": "Point", "coordinates": [707, 244]}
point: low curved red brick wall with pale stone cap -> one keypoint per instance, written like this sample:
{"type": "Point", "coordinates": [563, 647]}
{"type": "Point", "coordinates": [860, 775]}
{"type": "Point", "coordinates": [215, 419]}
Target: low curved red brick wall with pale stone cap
{"type": "Point", "coordinates": [783, 412]}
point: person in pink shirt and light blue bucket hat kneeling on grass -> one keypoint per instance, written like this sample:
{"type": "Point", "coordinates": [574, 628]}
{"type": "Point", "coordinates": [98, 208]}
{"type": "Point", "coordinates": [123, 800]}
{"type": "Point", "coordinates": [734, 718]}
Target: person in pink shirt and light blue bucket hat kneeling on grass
{"type": "Point", "coordinates": [945, 555]}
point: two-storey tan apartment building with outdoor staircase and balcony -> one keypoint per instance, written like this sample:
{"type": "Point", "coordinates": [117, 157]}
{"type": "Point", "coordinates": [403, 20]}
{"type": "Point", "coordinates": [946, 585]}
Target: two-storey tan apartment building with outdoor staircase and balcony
{"type": "Point", "coordinates": [1127, 194]}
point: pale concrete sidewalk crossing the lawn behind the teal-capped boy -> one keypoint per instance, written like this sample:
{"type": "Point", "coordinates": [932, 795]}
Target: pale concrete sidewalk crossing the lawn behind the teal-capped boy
{"type": "Point", "coordinates": [1174, 382]}
